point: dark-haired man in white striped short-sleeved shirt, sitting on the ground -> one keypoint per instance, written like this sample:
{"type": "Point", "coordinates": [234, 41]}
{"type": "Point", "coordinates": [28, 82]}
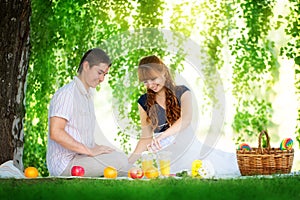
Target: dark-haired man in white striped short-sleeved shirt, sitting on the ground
{"type": "Point", "coordinates": [72, 122]}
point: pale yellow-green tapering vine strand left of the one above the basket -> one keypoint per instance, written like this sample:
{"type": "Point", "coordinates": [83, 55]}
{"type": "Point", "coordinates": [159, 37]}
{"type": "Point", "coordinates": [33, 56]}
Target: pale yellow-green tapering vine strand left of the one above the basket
{"type": "Point", "coordinates": [217, 25]}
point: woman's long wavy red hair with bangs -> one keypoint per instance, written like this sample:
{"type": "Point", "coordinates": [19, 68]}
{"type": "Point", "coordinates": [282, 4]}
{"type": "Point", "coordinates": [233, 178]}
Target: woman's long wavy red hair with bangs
{"type": "Point", "coordinates": [151, 67]}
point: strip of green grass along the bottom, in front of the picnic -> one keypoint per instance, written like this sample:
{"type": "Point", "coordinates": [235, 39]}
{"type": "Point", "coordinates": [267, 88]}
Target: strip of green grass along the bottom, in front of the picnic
{"type": "Point", "coordinates": [188, 188]}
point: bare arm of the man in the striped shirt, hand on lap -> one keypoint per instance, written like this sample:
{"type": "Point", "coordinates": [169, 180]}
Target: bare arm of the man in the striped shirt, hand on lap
{"type": "Point", "coordinates": [59, 135]}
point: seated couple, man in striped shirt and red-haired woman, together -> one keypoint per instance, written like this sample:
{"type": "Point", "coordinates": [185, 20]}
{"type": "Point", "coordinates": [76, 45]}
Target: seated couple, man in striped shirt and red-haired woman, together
{"type": "Point", "coordinates": [165, 113]}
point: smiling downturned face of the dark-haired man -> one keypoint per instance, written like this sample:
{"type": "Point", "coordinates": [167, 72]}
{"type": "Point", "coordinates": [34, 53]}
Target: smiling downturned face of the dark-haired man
{"type": "Point", "coordinates": [95, 75]}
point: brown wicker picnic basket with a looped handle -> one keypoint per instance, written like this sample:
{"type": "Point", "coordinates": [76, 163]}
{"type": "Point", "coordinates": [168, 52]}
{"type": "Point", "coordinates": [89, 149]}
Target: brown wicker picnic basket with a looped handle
{"type": "Point", "coordinates": [265, 161]}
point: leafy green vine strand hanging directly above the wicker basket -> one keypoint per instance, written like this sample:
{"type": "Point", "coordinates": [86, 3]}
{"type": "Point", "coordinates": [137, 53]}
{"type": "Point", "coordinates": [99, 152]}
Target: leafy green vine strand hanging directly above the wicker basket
{"type": "Point", "coordinates": [253, 69]}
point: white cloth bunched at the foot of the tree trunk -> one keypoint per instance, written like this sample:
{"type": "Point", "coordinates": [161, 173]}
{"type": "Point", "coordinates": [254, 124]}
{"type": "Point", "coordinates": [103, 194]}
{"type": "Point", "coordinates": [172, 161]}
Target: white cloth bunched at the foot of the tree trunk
{"type": "Point", "coordinates": [8, 170]}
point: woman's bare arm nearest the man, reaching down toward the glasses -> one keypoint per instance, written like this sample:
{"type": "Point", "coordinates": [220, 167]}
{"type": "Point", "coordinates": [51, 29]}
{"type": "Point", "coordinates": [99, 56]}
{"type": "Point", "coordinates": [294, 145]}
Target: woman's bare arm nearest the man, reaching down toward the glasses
{"type": "Point", "coordinates": [145, 139]}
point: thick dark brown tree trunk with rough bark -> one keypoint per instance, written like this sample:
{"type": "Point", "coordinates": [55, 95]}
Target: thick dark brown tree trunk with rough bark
{"type": "Point", "coordinates": [14, 52]}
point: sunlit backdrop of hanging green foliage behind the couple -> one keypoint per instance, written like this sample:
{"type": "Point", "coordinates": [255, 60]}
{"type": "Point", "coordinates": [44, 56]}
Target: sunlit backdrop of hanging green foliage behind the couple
{"type": "Point", "coordinates": [247, 48]}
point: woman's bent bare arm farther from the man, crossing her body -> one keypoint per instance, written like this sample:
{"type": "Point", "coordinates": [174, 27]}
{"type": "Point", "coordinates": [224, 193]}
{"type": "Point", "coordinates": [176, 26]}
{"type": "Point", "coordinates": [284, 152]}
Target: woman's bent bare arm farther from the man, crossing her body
{"type": "Point", "coordinates": [183, 122]}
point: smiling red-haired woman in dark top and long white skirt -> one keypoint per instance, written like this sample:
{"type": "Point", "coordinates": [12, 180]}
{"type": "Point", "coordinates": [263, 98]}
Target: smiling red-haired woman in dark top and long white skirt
{"type": "Point", "coordinates": [166, 115]}
